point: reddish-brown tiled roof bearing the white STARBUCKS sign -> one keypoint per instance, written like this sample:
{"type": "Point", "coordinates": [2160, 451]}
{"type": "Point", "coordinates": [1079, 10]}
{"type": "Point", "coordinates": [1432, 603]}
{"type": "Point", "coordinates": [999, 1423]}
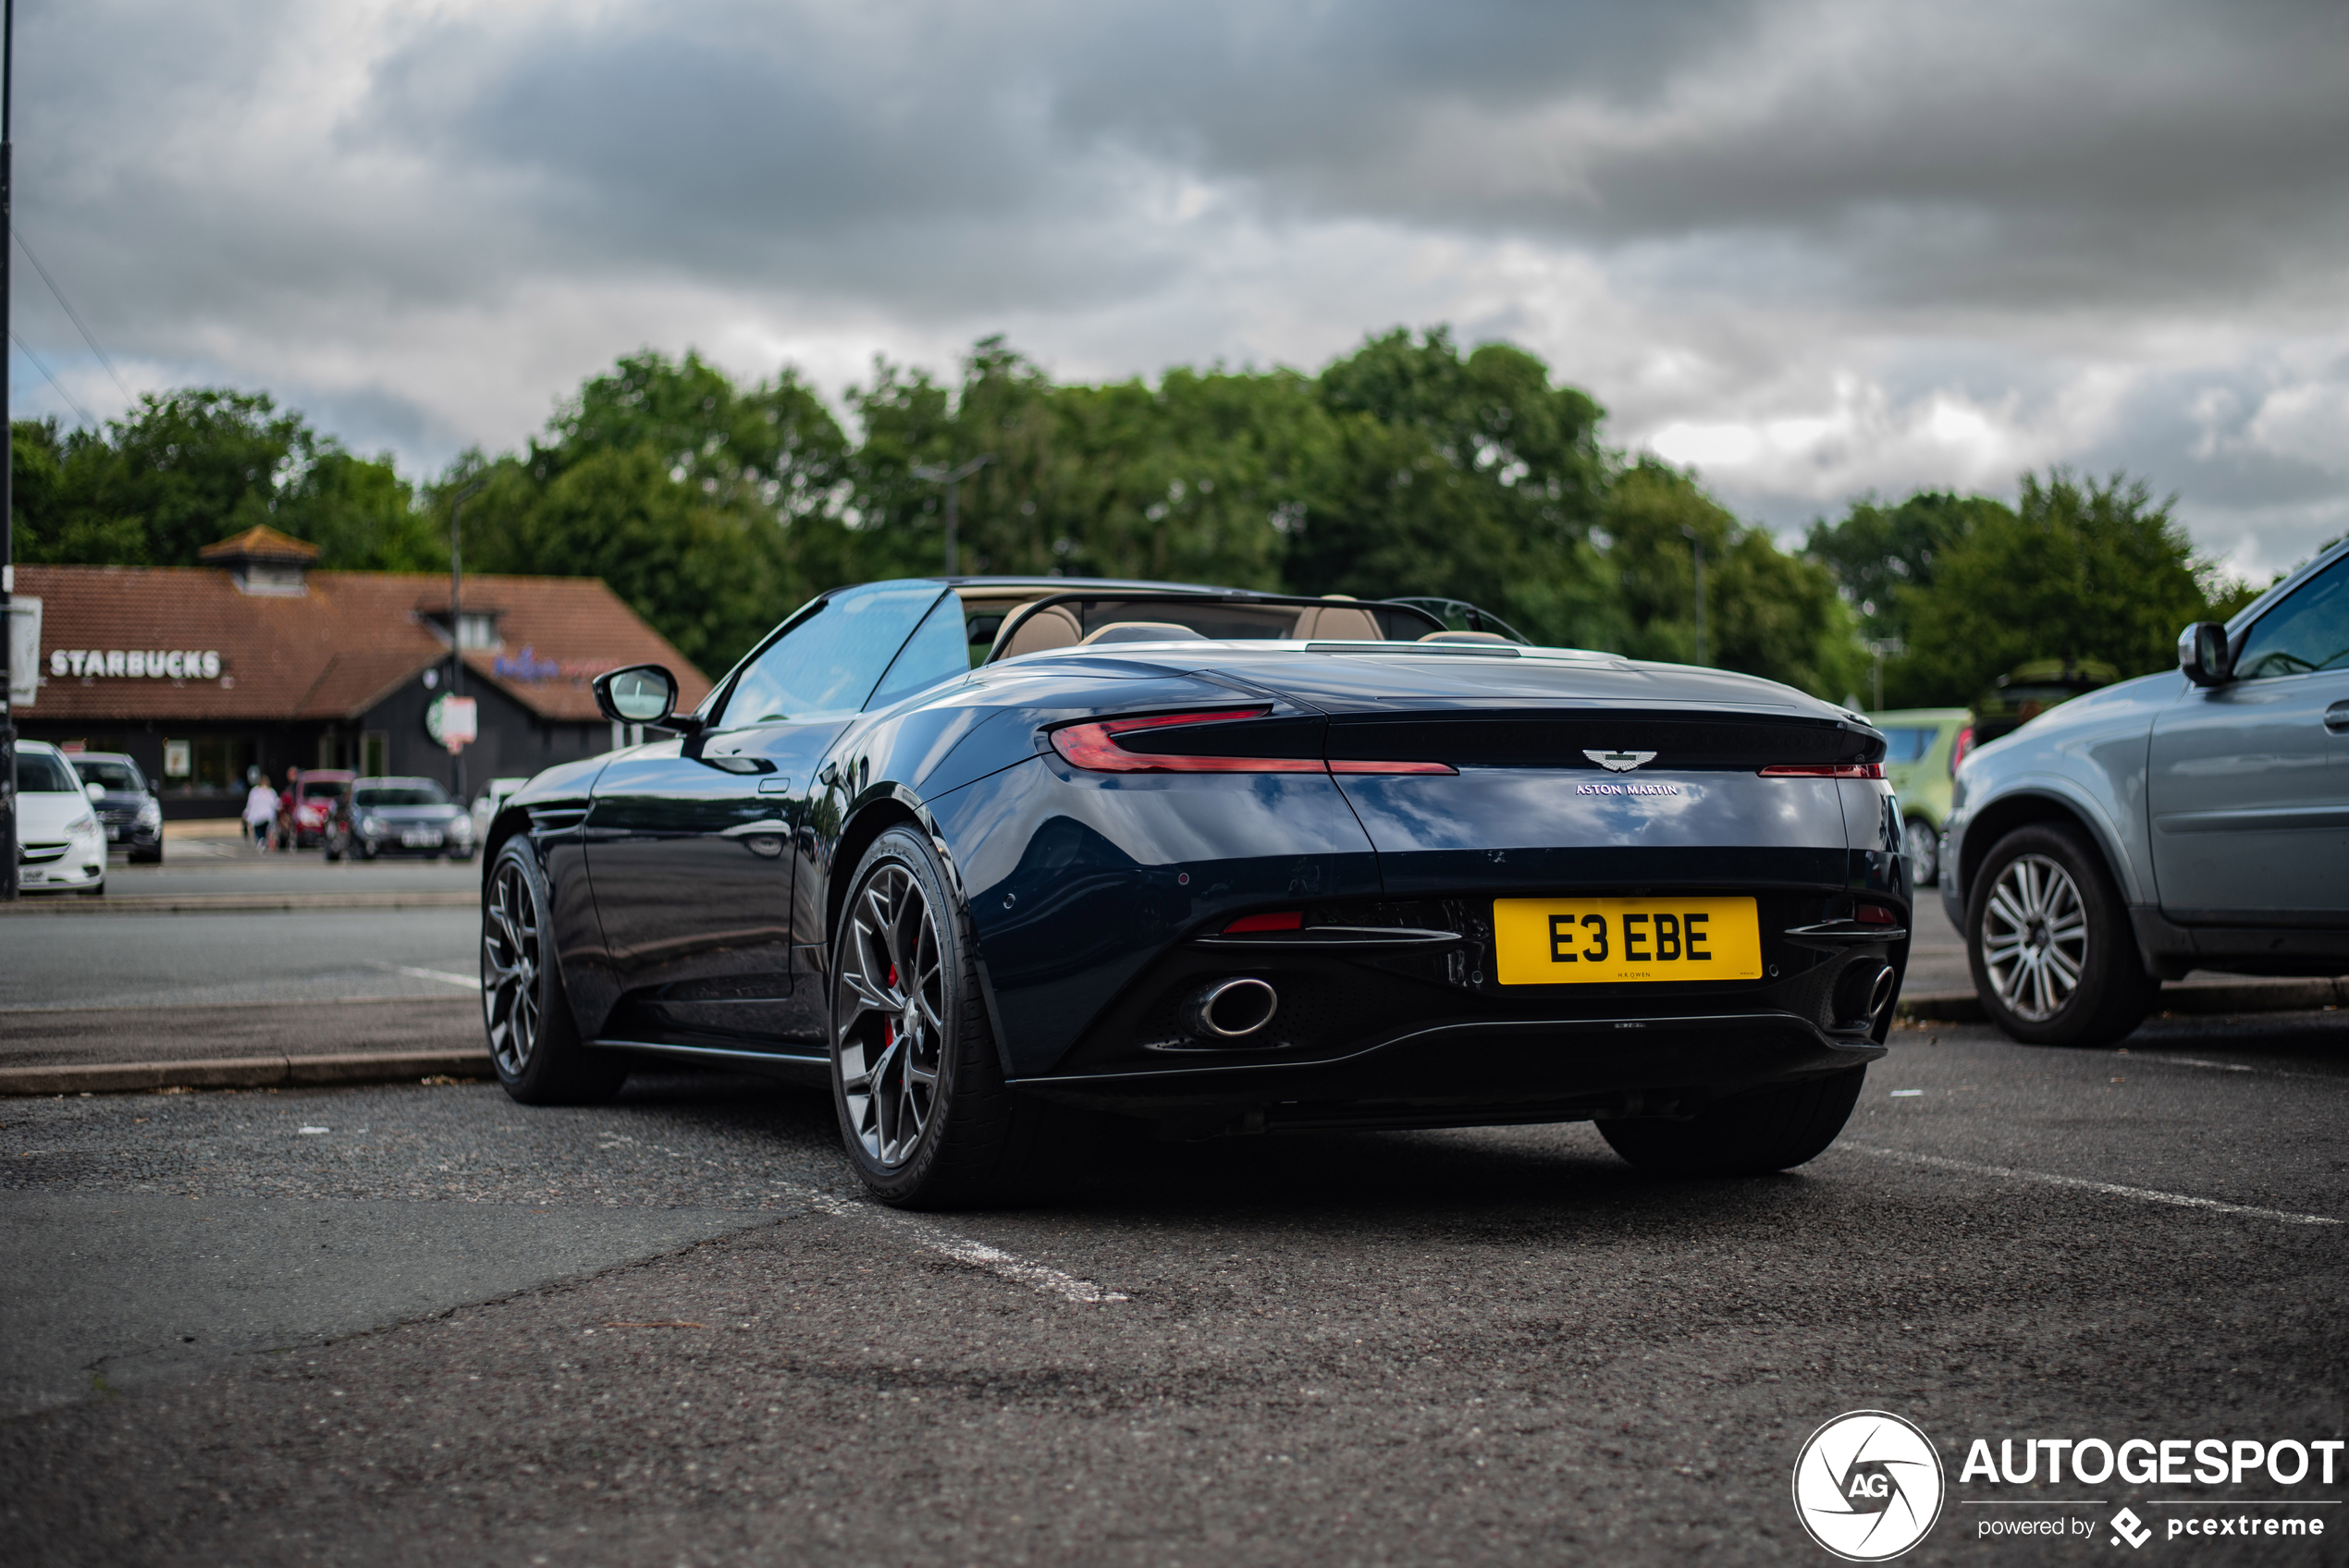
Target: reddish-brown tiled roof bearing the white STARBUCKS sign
{"type": "Point", "coordinates": [335, 649]}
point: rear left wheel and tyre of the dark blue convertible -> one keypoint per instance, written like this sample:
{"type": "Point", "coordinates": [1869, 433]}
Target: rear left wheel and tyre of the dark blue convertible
{"type": "Point", "coordinates": [906, 1003]}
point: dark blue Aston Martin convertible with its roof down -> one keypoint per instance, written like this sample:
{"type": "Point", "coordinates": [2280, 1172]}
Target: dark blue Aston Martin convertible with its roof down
{"type": "Point", "coordinates": [1016, 863]}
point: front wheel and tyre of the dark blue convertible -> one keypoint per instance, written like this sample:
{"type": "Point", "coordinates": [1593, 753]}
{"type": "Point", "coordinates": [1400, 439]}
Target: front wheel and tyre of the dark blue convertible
{"type": "Point", "coordinates": [534, 1043]}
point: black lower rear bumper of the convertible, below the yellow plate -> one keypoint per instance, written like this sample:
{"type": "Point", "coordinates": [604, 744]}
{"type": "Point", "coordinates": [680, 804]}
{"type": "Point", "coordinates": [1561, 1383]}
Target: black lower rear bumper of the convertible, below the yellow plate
{"type": "Point", "coordinates": [1411, 1032]}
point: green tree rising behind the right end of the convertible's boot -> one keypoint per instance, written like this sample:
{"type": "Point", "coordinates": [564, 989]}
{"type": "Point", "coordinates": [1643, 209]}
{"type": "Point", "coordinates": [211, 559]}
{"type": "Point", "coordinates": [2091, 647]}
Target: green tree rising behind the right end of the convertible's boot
{"type": "Point", "coordinates": [1768, 614]}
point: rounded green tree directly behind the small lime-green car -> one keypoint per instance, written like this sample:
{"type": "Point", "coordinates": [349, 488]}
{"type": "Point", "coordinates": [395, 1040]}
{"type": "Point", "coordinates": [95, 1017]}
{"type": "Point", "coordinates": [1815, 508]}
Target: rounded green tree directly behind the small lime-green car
{"type": "Point", "coordinates": [2080, 569]}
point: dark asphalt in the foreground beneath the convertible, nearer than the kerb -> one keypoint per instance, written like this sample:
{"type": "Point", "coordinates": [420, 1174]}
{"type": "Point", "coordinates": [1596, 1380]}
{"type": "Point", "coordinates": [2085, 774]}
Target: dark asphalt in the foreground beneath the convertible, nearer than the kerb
{"type": "Point", "coordinates": [422, 1325]}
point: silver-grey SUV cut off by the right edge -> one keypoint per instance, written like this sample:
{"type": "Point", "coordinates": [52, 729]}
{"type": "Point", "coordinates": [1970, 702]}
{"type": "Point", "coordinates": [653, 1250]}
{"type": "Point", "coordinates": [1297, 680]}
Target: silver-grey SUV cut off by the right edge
{"type": "Point", "coordinates": [2190, 820]}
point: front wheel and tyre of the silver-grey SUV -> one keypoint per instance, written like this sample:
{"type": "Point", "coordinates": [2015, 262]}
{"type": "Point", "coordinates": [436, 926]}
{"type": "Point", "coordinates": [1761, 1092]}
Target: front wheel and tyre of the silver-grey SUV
{"type": "Point", "coordinates": [2050, 942]}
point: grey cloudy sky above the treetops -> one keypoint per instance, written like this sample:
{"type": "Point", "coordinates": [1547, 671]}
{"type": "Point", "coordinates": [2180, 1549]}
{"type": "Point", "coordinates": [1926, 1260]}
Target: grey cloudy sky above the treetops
{"type": "Point", "coordinates": [1812, 248]}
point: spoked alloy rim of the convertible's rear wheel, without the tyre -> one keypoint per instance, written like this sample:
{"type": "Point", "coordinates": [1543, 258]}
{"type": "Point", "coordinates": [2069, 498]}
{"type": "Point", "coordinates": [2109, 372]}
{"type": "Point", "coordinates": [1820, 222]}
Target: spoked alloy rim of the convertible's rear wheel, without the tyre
{"type": "Point", "coordinates": [891, 1018]}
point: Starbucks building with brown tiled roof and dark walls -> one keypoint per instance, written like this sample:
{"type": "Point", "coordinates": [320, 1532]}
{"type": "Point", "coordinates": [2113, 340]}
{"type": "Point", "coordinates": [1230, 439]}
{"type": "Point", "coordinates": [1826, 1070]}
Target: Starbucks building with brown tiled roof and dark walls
{"type": "Point", "coordinates": [260, 663]}
